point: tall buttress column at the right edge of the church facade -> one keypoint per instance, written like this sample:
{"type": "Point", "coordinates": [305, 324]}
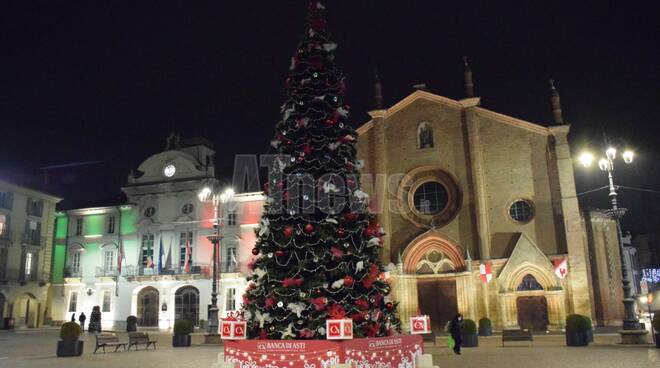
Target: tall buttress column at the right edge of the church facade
{"type": "Point", "coordinates": [577, 252]}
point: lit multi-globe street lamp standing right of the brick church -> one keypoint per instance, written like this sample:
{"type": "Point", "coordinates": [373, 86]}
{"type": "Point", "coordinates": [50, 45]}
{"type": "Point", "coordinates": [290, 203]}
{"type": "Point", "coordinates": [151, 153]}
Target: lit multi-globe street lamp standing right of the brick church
{"type": "Point", "coordinates": [606, 164]}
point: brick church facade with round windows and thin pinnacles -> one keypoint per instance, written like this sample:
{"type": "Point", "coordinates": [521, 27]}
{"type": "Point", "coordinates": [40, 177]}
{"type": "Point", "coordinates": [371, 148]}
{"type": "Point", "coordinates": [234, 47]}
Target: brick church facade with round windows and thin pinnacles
{"type": "Point", "coordinates": [458, 187]}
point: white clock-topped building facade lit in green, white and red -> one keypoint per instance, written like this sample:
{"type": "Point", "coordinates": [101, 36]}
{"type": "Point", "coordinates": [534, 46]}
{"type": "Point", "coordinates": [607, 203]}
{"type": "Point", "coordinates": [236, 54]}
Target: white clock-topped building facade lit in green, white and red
{"type": "Point", "coordinates": [161, 223]}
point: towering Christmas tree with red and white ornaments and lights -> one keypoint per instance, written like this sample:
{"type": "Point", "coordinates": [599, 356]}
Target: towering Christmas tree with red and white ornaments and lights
{"type": "Point", "coordinates": [318, 246]}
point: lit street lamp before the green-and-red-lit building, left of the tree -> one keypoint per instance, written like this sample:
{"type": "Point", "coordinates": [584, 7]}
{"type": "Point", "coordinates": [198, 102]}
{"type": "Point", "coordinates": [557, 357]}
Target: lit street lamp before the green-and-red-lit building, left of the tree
{"type": "Point", "coordinates": [208, 194]}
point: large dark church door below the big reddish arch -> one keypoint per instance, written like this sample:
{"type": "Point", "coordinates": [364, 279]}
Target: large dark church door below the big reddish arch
{"type": "Point", "coordinates": [437, 299]}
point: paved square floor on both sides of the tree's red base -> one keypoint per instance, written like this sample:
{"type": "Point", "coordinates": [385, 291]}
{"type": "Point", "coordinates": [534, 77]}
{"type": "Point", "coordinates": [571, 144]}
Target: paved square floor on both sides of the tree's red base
{"type": "Point", "coordinates": [36, 349]}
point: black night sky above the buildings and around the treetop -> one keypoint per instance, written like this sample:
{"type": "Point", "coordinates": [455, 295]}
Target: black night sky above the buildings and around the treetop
{"type": "Point", "coordinates": [108, 81]}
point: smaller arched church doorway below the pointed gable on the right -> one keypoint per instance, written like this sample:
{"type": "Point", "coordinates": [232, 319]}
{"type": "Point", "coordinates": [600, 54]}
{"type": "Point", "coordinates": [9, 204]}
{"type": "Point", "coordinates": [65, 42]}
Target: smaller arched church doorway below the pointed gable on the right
{"type": "Point", "coordinates": [532, 308]}
